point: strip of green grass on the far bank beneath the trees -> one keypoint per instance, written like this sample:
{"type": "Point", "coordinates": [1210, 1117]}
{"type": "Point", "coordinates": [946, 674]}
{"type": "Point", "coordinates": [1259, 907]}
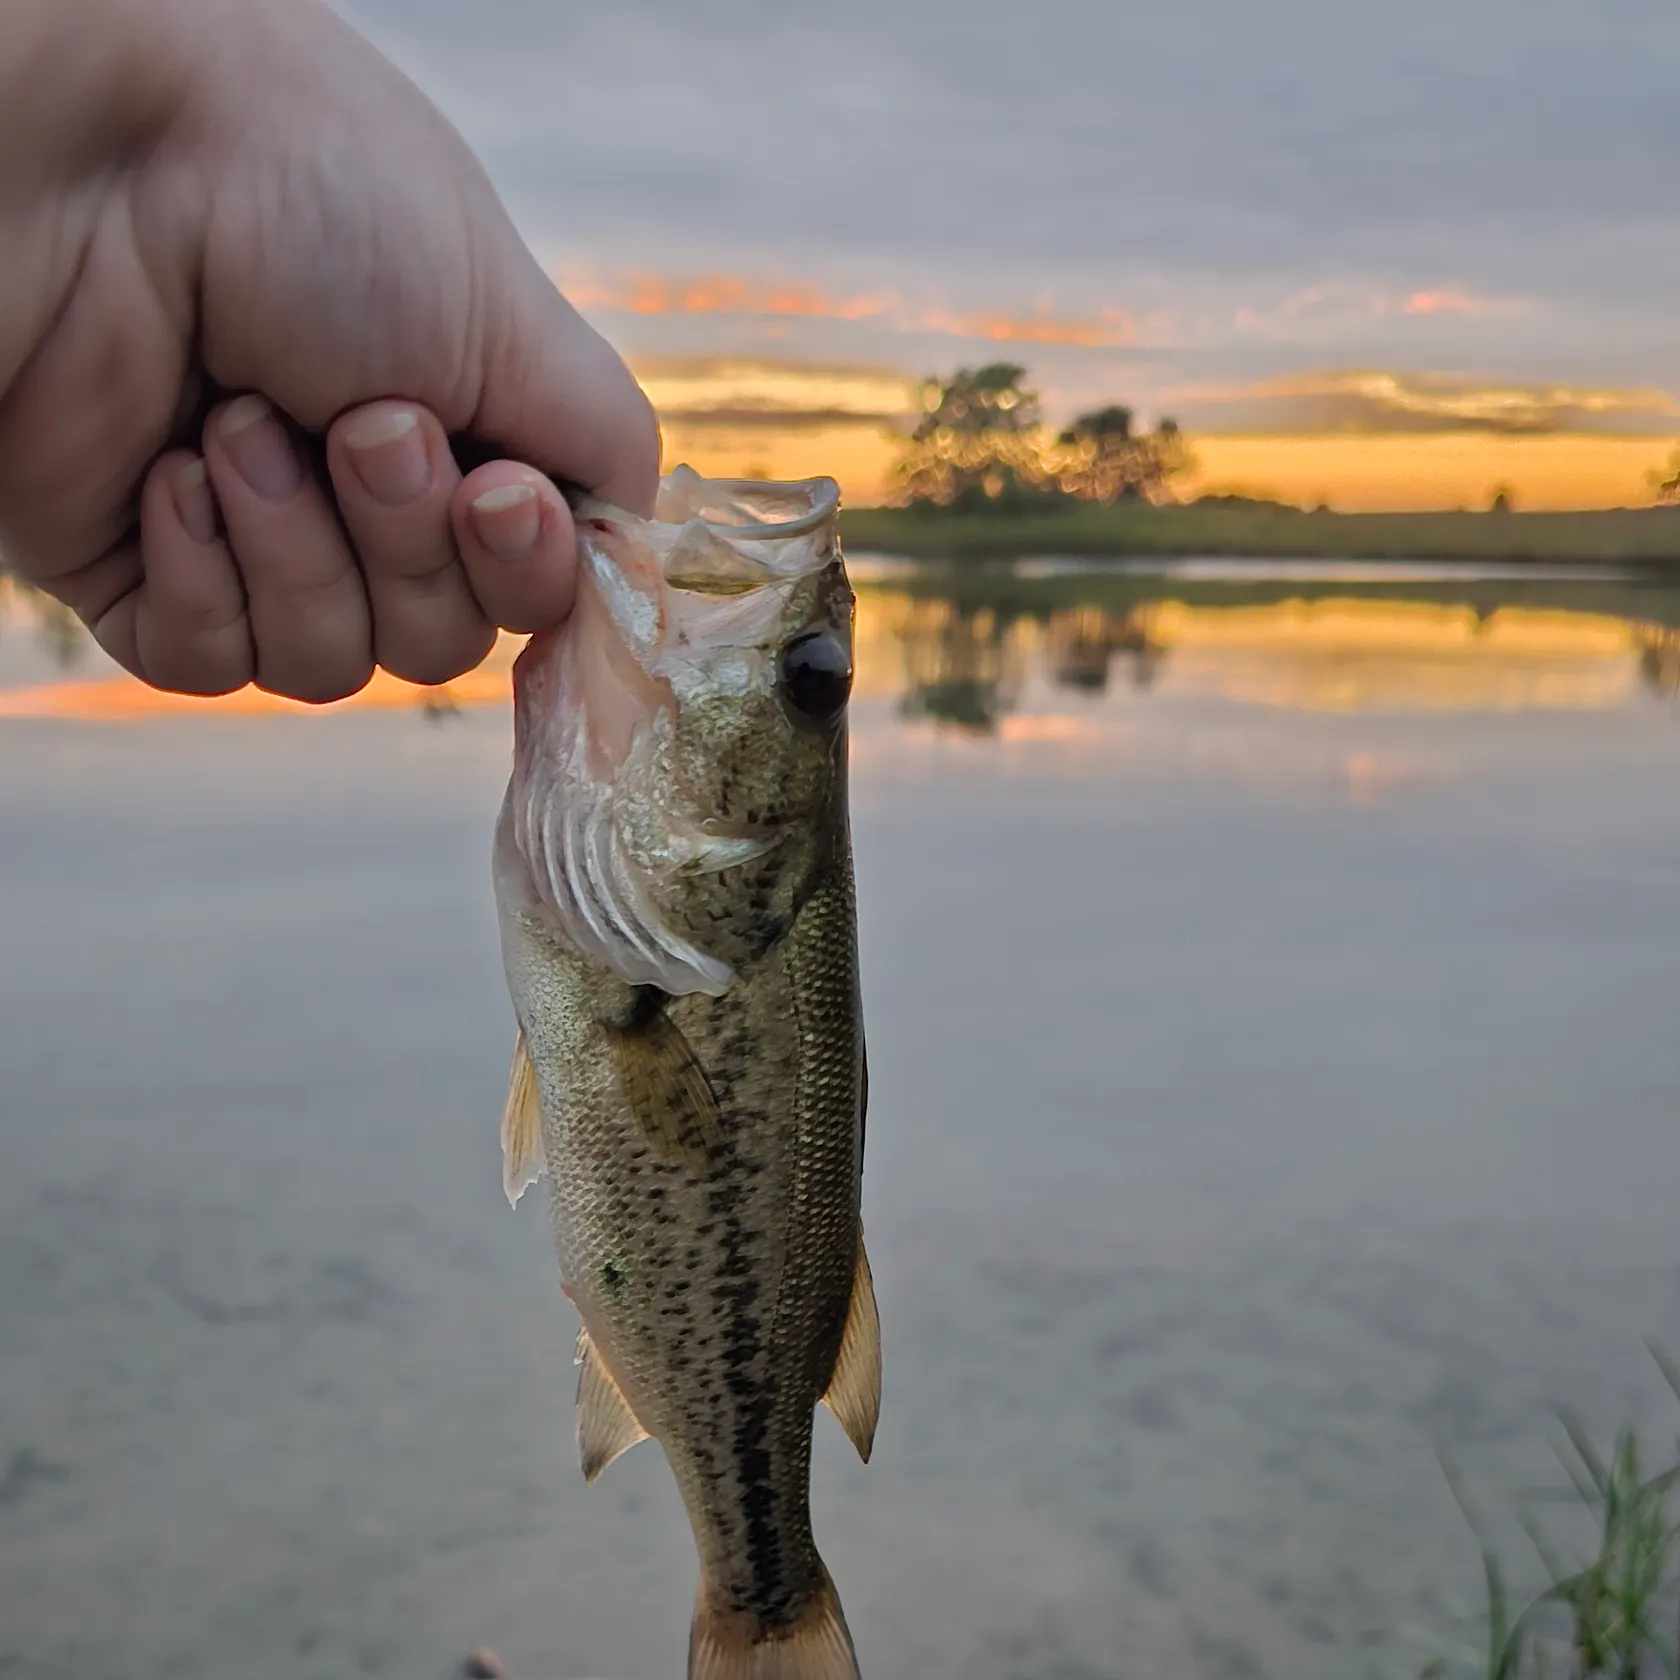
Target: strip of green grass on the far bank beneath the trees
{"type": "Point", "coordinates": [1615, 537]}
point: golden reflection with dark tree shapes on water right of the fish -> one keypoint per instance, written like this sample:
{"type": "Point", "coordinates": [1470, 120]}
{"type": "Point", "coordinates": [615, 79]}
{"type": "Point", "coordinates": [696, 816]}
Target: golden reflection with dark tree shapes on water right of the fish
{"type": "Point", "coordinates": [972, 666]}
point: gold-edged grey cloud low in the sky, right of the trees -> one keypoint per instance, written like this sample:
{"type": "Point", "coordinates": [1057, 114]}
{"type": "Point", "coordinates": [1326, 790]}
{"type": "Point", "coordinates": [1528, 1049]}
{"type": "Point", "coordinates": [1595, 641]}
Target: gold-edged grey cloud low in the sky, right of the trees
{"type": "Point", "coordinates": [1385, 401]}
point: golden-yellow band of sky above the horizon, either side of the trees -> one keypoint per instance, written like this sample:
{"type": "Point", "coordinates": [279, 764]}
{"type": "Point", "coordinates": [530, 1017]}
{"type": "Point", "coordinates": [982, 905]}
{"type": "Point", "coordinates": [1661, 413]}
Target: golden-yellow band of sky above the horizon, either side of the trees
{"type": "Point", "coordinates": [1355, 441]}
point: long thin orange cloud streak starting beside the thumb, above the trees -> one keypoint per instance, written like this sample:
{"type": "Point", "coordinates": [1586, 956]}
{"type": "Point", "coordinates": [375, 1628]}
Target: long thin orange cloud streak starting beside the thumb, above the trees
{"type": "Point", "coordinates": [656, 295]}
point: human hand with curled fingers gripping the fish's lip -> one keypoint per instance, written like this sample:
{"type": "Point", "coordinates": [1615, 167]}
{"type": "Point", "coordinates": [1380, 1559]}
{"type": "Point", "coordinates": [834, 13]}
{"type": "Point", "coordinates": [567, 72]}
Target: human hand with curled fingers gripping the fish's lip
{"type": "Point", "coordinates": [270, 285]}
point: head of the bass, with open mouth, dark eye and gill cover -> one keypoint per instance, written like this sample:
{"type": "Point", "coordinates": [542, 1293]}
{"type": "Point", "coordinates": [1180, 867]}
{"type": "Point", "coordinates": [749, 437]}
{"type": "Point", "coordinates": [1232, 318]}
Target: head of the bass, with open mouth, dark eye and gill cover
{"type": "Point", "coordinates": [680, 767]}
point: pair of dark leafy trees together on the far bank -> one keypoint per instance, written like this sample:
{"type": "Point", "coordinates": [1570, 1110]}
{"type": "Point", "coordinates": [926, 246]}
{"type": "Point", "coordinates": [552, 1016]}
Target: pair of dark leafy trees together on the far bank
{"type": "Point", "coordinates": [982, 446]}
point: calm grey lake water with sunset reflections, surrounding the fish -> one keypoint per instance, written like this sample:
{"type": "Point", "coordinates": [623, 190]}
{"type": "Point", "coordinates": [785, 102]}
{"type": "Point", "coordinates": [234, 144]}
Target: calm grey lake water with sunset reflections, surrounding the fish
{"type": "Point", "coordinates": [1271, 990]}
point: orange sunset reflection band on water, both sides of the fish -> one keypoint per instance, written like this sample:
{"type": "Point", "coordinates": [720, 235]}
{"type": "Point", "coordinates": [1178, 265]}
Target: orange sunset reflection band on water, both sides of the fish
{"type": "Point", "coordinates": [965, 649]}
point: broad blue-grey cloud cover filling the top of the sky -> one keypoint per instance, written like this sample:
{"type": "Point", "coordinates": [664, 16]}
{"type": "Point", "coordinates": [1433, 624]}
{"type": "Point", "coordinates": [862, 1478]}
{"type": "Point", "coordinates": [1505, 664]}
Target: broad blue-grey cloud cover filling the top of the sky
{"type": "Point", "coordinates": [1215, 137]}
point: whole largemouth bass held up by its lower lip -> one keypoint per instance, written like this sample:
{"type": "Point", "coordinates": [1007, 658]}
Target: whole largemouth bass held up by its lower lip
{"type": "Point", "coordinates": [675, 888]}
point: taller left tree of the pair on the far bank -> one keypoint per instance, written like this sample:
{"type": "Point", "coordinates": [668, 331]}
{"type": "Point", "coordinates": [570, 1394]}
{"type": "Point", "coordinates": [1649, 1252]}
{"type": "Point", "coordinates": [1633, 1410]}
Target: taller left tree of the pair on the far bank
{"type": "Point", "coordinates": [977, 444]}
